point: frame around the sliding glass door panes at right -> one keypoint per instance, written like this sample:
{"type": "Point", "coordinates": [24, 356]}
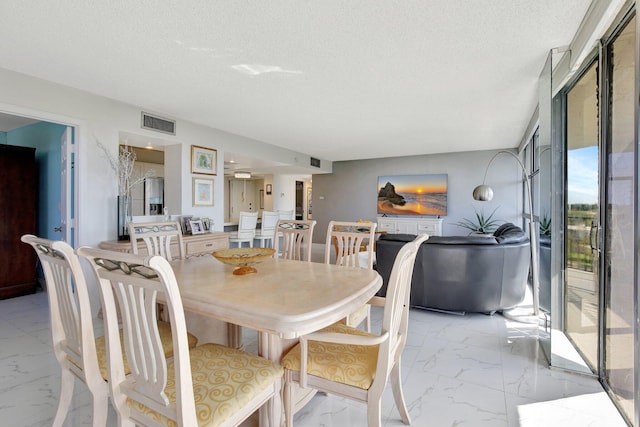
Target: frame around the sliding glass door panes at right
{"type": "Point", "coordinates": [601, 55]}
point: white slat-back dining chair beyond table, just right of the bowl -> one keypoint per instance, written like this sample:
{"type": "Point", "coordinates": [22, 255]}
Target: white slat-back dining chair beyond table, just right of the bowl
{"type": "Point", "coordinates": [296, 236]}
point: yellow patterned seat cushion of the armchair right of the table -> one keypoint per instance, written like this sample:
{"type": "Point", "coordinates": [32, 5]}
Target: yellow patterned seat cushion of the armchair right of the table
{"type": "Point", "coordinates": [348, 364]}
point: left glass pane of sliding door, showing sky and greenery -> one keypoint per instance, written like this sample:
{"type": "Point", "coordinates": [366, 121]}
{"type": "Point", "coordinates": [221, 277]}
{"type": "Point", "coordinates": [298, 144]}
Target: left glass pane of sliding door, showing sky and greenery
{"type": "Point", "coordinates": [581, 295]}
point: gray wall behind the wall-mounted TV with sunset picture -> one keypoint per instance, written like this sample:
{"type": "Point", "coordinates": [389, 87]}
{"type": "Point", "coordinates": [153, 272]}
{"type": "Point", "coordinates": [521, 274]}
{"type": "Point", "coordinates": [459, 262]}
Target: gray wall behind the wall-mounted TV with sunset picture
{"type": "Point", "coordinates": [351, 193]}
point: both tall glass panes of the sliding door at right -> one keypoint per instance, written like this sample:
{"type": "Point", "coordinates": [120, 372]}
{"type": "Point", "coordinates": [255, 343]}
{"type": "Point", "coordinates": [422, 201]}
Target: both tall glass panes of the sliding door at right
{"type": "Point", "coordinates": [599, 299]}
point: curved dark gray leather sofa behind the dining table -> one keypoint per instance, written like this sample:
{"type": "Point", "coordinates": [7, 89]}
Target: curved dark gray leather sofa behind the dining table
{"type": "Point", "coordinates": [463, 273]}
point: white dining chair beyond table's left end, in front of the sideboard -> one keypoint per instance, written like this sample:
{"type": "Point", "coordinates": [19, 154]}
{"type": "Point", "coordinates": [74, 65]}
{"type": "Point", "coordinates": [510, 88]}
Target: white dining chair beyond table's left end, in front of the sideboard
{"type": "Point", "coordinates": [158, 237]}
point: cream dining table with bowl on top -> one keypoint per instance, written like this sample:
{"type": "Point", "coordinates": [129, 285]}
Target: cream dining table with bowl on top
{"type": "Point", "coordinates": [283, 300]}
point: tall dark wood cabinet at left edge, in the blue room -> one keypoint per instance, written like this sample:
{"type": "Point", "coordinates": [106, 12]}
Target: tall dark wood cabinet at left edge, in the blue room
{"type": "Point", "coordinates": [18, 200]}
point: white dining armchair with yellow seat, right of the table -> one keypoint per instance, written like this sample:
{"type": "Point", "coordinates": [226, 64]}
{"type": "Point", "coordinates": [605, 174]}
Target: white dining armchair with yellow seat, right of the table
{"type": "Point", "coordinates": [352, 363]}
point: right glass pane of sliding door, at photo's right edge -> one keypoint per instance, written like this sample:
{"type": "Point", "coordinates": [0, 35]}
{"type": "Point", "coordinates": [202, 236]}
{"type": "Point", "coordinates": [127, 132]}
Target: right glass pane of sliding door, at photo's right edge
{"type": "Point", "coordinates": [619, 221]}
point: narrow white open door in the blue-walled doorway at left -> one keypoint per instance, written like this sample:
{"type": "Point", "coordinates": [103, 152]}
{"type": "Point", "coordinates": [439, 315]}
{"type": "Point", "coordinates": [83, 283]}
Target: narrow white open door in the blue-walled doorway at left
{"type": "Point", "coordinates": [67, 155]}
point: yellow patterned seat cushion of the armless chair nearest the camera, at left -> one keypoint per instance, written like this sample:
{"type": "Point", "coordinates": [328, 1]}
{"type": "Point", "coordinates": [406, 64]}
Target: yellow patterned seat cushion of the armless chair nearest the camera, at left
{"type": "Point", "coordinates": [224, 380]}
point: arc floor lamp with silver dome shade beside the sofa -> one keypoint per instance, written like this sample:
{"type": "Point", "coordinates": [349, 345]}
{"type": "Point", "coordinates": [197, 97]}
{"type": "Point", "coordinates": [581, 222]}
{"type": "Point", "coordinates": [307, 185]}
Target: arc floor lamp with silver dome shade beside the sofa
{"type": "Point", "coordinates": [485, 193]}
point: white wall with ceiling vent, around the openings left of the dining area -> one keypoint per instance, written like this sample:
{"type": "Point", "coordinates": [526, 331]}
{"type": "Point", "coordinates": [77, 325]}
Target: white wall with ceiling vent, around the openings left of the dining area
{"type": "Point", "coordinates": [99, 119]}
